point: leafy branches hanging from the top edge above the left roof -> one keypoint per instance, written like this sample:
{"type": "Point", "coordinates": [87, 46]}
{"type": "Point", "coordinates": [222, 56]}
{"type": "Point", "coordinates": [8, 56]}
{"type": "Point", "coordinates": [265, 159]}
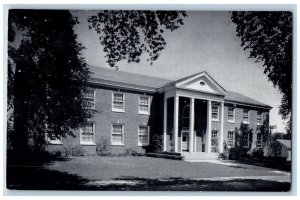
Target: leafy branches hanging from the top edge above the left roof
{"type": "Point", "coordinates": [126, 35]}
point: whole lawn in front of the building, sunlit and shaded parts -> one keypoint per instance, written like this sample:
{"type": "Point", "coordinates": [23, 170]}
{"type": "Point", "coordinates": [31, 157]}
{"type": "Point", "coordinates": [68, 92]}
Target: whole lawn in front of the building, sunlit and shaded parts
{"type": "Point", "coordinates": [140, 173]}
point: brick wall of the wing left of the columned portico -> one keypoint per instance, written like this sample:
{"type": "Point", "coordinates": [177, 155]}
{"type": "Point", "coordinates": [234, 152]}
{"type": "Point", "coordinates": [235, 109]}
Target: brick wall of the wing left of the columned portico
{"type": "Point", "coordinates": [131, 119]}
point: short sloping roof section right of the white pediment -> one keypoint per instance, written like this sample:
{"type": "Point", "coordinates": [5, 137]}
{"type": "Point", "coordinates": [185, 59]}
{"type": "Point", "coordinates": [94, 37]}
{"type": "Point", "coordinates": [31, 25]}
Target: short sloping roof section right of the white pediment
{"type": "Point", "coordinates": [240, 98]}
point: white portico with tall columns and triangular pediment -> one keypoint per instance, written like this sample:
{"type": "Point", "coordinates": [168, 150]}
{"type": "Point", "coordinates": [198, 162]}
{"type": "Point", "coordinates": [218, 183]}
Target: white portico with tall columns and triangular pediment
{"type": "Point", "coordinates": [194, 115]}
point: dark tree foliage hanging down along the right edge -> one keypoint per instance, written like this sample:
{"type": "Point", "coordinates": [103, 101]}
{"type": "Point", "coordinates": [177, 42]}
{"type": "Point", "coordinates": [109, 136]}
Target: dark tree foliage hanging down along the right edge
{"type": "Point", "coordinates": [268, 37]}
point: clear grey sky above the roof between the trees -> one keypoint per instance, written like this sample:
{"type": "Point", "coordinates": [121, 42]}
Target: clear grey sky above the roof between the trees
{"type": "Point", "coordinates": [206, 42]}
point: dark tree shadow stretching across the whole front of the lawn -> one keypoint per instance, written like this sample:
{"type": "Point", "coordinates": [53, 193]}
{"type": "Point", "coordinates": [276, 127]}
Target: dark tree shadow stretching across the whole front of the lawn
{"type": "Point", "coordinates": [39, 178]}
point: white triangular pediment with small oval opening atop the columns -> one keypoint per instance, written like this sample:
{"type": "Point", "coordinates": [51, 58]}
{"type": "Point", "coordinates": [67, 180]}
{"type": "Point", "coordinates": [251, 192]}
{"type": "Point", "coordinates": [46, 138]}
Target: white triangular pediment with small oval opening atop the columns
{"type": "Point", "coordinates": [201, 82]}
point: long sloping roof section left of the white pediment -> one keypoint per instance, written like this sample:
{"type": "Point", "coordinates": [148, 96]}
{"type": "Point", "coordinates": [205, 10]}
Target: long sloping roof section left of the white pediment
{"type": "Point", "coordinates": [127, 78]}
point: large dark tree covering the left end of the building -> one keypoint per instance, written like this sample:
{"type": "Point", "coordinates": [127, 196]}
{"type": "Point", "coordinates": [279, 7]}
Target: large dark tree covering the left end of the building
{"type": "Point", "coordinates": [46, 77]}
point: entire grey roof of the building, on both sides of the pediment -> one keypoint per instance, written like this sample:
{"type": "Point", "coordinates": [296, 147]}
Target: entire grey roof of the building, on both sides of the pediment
{"type": "Point", "coordinates": [132, 79]}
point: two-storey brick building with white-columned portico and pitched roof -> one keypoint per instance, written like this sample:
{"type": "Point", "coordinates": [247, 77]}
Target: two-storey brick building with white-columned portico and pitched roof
{"type": "Point", "coordinates": [194, 115]}
